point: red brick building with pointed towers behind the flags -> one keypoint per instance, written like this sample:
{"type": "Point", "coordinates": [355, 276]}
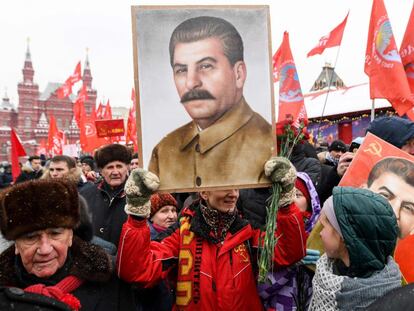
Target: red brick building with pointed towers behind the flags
{"type": "Point", "coordinates": [31, 116]}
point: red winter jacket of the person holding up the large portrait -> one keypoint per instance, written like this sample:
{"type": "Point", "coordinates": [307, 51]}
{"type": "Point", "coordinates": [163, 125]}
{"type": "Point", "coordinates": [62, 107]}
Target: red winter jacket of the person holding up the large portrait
{"type": "Point", "coordinates": [209, 276]}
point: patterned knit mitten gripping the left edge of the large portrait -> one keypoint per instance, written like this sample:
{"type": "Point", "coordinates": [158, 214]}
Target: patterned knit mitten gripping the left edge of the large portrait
{"type": "Point", "coordinates": [141, 184]}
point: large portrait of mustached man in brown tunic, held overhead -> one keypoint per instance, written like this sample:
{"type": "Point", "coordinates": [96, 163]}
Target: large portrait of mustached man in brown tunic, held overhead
{"type": "Point", "coordinates": [191, 150]}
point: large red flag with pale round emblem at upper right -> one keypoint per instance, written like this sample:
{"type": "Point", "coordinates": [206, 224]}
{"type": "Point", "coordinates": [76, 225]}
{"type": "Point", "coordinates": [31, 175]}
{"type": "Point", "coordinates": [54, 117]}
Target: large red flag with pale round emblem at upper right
{"type": "Point", "coordinates": [383, 64]}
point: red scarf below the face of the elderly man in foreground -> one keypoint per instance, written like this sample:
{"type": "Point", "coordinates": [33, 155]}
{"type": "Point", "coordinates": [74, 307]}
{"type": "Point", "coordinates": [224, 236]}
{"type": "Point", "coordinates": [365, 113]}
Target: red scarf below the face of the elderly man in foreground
{"type": "Point", "coordinates": [61, 291]}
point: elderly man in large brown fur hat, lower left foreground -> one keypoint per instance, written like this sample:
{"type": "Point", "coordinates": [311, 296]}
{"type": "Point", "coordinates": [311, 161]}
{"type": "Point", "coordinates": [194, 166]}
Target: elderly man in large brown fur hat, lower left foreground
{"type": "Point", "coordinates": [48, 266]}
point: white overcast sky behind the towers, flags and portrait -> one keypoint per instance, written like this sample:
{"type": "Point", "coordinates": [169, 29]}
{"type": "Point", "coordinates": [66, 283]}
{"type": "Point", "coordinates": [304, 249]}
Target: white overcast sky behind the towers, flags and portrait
{"type": "Point", "coordinates": [60, 32]}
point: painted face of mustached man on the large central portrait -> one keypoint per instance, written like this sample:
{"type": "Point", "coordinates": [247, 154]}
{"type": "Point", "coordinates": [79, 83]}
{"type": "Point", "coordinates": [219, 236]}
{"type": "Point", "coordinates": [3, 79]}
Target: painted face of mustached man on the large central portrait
{"type": "Point", "coordinates": [208, 85]}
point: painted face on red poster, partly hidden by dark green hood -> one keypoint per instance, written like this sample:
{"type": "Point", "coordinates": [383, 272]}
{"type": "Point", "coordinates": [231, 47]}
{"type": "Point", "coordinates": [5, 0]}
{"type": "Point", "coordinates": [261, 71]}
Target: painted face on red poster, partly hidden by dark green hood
{"type": "Point", "coordinates": [401, 197]}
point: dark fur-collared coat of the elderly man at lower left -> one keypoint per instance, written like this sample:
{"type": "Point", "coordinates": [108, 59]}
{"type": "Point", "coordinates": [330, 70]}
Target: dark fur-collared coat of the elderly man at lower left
{"type": "Point", "coordinates": [101, 290]}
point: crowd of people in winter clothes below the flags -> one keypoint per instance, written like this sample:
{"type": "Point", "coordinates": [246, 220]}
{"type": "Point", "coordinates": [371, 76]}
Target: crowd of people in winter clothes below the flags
{"type": "Point", "coordinates": [93, 234]}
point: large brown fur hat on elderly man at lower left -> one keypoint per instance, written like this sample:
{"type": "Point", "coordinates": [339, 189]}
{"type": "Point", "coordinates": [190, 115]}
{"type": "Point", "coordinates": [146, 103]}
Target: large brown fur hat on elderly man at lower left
{"type": "Point", "coordinates": [37, 205]}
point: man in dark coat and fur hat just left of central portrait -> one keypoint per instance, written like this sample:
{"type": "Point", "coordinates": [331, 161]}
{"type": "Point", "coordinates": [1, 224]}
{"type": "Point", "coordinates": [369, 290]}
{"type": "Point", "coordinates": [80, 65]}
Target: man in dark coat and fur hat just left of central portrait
{"type": "Point", "coordinates": [106, 200]}
